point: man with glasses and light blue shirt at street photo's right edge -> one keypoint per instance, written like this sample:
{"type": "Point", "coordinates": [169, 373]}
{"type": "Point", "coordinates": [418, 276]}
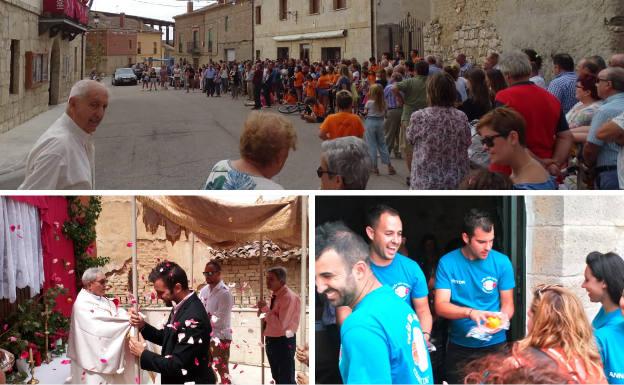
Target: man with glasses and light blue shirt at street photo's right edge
{"type": "Point", "coordinates": [597, 153]}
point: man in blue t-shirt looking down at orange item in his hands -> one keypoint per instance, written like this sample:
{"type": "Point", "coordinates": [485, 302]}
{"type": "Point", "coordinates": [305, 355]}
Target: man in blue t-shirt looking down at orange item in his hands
{"type": "Point", "coordinates": [473, 283]}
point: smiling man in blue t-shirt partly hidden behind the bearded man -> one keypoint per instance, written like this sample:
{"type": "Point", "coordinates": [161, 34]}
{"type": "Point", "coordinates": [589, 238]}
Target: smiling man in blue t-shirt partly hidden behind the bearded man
{"type": "Point", "coordinates": [385, 230]}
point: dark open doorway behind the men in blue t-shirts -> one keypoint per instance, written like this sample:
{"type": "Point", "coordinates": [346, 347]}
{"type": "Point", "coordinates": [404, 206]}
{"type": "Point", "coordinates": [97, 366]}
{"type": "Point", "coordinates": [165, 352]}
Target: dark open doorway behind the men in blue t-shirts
{"type": "Point", "coordinates": [442, 217]}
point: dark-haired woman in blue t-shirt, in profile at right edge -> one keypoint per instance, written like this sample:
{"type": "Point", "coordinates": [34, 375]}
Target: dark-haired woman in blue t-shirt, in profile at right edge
{"type": "Point", "coordinates": [604, 282]}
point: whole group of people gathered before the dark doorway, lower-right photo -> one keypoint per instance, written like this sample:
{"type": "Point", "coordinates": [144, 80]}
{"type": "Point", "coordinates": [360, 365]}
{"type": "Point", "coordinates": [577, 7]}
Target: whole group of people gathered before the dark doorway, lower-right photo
{"type": "Point", "coordinates": [444, 316]}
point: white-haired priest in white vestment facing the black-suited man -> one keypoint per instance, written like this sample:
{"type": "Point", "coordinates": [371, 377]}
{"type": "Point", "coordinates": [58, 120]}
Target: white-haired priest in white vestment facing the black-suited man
{"type": "Point", "coordinates": [97, 337]}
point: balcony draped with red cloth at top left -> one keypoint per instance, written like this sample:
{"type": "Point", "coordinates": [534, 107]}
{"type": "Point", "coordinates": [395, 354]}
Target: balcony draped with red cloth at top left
{"type": "Point", "coordinates": [67, 17]}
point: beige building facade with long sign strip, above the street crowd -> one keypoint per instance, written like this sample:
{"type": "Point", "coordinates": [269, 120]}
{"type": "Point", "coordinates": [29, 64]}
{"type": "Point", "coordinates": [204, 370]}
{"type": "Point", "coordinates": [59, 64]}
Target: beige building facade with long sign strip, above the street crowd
{"type": "Point", "coordinates": [356, 19]}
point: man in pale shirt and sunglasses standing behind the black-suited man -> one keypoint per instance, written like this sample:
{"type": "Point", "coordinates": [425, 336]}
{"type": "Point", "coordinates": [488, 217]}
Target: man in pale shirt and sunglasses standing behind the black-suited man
{"type": "Point", "coordinates": [218, 302]}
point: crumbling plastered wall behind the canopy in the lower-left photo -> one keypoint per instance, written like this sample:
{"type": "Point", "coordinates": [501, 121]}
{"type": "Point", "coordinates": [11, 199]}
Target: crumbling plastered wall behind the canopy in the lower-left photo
{"type": "Point", "coordinates": [114, 229]}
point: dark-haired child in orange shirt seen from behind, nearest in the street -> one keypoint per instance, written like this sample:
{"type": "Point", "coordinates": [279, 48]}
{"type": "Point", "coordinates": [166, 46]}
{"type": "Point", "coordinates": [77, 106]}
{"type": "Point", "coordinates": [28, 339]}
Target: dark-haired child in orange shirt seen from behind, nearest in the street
{"type": "Point", "coordinates": [342, 123]}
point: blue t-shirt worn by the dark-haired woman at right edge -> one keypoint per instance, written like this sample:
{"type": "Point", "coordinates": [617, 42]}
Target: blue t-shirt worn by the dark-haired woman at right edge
{"type": "Point", "coordinates": [609, 333]}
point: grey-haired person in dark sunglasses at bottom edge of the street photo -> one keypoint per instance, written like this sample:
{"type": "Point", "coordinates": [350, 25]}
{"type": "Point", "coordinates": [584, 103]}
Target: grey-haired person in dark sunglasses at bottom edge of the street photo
{"type": "Point", "coordinates": [345, 164]}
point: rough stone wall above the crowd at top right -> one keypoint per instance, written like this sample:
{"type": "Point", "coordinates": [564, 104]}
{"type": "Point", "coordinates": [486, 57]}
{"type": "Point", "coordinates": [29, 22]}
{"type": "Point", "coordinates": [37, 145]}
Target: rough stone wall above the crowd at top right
{"type": "Point", "coordinates": [476, 27]}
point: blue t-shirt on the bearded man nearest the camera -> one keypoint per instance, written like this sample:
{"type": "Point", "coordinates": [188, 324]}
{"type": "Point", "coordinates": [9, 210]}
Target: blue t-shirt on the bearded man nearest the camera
{"type": "Point", "coordinates": [382, 343]}
